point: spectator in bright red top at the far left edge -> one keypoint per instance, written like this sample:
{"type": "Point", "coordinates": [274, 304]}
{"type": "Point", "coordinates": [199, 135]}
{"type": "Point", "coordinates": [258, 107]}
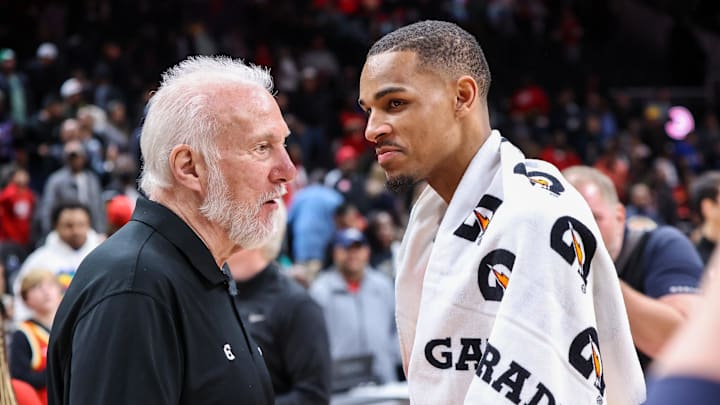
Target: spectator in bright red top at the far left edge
{"type": "Point", "coordinates": [17, 206]}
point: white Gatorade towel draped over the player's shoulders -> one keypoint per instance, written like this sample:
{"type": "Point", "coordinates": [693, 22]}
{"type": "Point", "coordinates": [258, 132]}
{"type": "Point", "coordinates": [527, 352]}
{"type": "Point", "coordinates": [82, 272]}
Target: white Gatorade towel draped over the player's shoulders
{"type": "Point", "coordinates": [513, 270]}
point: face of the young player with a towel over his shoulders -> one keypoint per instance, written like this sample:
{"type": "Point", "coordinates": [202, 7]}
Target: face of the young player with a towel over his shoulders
{"type": "Point", "coordinates": [411, 117]}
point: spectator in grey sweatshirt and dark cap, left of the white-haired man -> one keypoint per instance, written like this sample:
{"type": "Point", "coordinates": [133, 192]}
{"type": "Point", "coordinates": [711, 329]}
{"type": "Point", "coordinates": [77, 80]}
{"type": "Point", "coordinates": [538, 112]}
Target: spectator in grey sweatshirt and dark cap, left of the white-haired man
{"type": "Point", "coordinates": [74, 182]}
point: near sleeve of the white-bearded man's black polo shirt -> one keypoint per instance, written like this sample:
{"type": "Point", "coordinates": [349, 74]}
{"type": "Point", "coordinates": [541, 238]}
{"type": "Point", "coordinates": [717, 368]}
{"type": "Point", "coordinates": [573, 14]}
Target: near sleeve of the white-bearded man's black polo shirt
{"type": "Point", "coordinates": [126, 350]}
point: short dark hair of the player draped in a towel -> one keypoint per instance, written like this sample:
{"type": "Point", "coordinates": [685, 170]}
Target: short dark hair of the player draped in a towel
{"type": "Point", "coordinates": [440, 46]}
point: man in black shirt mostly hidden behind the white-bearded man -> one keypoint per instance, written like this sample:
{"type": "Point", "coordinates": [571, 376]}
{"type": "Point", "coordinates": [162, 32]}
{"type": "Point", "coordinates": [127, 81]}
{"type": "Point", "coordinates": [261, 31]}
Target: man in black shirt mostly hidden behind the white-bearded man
{"type": "Point", "coordinates": [285, 322]}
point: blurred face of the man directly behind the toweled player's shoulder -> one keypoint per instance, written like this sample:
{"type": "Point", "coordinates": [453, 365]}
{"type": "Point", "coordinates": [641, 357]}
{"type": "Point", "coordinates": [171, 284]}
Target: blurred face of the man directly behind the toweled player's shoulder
{"type": "Point", "coordinates": [610, 217]}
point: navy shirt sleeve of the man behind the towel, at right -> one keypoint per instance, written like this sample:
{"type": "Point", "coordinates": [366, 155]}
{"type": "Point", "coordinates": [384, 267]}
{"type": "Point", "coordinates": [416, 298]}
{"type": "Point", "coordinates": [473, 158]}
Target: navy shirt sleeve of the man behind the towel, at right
{"type": "Point", "coordinates": [672, 265]}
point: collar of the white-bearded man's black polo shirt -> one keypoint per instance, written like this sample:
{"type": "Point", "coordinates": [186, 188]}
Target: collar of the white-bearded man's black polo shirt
{"type": "Point", "coordinates": [175, 230]}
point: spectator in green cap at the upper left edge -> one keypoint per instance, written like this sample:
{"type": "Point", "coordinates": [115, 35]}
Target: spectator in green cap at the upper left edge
{"type": "Point", "coordinates": [16, 88]}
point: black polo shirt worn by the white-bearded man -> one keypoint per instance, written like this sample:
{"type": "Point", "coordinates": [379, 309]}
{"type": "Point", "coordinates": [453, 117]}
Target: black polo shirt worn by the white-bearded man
{"type": "Point", "coordinates": [149, 319]}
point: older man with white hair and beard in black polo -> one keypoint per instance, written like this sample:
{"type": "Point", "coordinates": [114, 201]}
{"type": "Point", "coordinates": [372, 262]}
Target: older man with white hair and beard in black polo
{"type": "Point", "coordinates": [151, 316]}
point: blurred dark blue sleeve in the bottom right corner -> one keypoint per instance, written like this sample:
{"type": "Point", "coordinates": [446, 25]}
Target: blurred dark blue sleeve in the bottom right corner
{"type": "Point", "coordinates": [683, 390]}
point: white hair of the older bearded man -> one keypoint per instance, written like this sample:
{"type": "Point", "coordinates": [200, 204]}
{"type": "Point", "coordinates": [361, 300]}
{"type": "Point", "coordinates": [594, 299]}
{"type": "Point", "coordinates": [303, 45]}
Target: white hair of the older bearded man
{"type": "Point", "coordinates": [181, 112]}
